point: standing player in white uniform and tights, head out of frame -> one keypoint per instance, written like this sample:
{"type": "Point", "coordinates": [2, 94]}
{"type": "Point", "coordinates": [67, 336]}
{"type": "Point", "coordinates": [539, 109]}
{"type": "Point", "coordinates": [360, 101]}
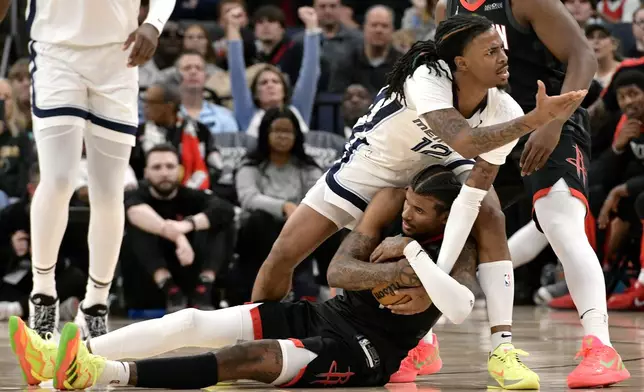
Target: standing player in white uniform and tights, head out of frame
{"type": "Point", "coordinates": [84, 81]}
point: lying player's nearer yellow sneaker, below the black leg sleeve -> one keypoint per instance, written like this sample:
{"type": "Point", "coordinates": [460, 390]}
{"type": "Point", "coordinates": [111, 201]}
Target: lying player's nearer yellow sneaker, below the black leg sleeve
{"type": "Point", "coordinates": [76, 367]}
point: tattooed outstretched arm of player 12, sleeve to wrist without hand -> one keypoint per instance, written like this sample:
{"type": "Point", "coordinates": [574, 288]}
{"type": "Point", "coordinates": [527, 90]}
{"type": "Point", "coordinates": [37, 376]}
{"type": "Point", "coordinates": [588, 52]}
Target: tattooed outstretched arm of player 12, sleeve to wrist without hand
{"type": "Point", "coordinates": [470, 142]}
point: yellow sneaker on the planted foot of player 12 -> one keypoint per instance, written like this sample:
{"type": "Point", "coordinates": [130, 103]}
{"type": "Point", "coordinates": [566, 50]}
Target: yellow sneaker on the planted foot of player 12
{"type": "Point", "coordinates": [508, 372]}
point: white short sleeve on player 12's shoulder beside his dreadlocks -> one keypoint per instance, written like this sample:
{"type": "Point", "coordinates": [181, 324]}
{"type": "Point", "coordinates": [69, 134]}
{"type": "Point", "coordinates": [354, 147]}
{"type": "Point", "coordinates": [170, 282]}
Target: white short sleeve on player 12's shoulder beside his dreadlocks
{"type": "Point", "coordinates": [429, 91]}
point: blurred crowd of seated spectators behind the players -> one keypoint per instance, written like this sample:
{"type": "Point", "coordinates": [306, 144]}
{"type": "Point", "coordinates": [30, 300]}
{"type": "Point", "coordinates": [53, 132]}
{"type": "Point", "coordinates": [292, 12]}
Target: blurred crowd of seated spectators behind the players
{"type": "Point", "coordinates": [242, 108]}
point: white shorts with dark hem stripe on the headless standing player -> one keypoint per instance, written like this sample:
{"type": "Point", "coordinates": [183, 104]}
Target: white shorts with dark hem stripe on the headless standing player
{"type": "Point", "coordinates": [72, 85]}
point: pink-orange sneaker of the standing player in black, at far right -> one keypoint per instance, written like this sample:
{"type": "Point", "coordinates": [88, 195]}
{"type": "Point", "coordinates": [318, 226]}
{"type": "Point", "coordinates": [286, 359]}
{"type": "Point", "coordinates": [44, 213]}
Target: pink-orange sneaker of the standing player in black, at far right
{"type": "Point", "coordinates": [600, 365]}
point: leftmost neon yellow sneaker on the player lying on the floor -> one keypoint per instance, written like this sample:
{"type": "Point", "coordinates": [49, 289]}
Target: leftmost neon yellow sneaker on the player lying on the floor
{"type": "Point", "coordinates": [36, 356]}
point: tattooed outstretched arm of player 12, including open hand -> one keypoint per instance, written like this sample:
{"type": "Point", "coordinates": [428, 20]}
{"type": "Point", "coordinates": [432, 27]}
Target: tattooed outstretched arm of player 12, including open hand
{"type": "Point", "coordinates": [450, 125]}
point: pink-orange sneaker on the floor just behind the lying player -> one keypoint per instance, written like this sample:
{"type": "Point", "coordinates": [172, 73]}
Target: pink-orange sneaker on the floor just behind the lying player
{"type": "Point", "coordinates": [422, 360]}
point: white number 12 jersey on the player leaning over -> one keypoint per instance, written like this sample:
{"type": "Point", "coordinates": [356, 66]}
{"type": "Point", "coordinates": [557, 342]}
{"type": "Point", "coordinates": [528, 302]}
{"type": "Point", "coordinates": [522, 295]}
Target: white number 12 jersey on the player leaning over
{"type": "Point", "coordinates": [395, 141]}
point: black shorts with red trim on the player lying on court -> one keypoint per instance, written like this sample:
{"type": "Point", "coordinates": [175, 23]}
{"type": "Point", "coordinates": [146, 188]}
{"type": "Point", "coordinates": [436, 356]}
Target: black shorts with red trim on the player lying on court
{"type": "Point", "coordinates": [345, 358]}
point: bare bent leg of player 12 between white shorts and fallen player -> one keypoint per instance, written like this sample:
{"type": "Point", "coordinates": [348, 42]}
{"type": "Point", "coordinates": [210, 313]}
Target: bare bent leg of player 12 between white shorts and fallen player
{"type": "Point", "coordinates": [303, 232]}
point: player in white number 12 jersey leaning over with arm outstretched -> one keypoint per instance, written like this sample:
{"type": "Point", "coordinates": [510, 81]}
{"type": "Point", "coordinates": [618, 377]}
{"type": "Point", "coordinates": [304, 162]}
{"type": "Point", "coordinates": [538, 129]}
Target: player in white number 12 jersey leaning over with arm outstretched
{"type": "Point", "coordinates": [392, 143]}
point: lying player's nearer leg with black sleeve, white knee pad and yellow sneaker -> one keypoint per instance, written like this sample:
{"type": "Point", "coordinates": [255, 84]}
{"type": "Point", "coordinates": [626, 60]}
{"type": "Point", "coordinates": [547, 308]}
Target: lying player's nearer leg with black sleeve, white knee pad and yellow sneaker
{"type": "Point", "coordinates": [270, 361]}
